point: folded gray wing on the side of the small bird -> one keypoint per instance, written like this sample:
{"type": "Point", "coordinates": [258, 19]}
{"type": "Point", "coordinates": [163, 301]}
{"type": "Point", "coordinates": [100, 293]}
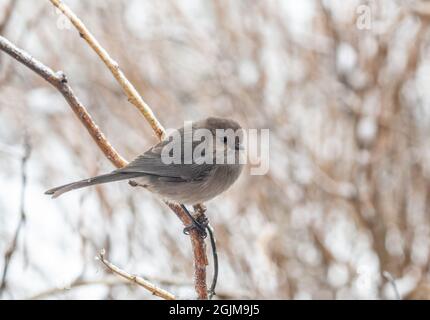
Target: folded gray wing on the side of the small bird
{"type": "Point", "coordinates": [151, 163]}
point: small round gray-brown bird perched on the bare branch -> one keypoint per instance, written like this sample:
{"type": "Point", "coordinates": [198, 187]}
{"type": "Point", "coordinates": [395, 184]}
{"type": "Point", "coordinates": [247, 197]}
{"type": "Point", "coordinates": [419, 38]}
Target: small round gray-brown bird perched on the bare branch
{"type": "Point", "coordinates": [192, 180]}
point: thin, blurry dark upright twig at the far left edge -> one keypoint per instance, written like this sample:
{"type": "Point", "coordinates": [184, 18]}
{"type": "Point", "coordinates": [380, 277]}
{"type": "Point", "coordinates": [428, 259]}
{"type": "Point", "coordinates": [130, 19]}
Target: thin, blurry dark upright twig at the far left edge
{"type": "Point", "coordinates": [12, 247]}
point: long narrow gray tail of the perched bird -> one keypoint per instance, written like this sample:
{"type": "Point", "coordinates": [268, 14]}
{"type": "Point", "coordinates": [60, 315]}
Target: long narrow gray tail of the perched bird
{"type": "Point", "coordinates": [104, 178]}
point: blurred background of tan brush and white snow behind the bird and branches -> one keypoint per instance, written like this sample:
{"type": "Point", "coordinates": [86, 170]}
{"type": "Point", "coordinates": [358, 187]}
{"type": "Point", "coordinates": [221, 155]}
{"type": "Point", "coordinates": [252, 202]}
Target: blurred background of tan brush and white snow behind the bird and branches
{"type": "Point", "coordinates": [343, 87]}
